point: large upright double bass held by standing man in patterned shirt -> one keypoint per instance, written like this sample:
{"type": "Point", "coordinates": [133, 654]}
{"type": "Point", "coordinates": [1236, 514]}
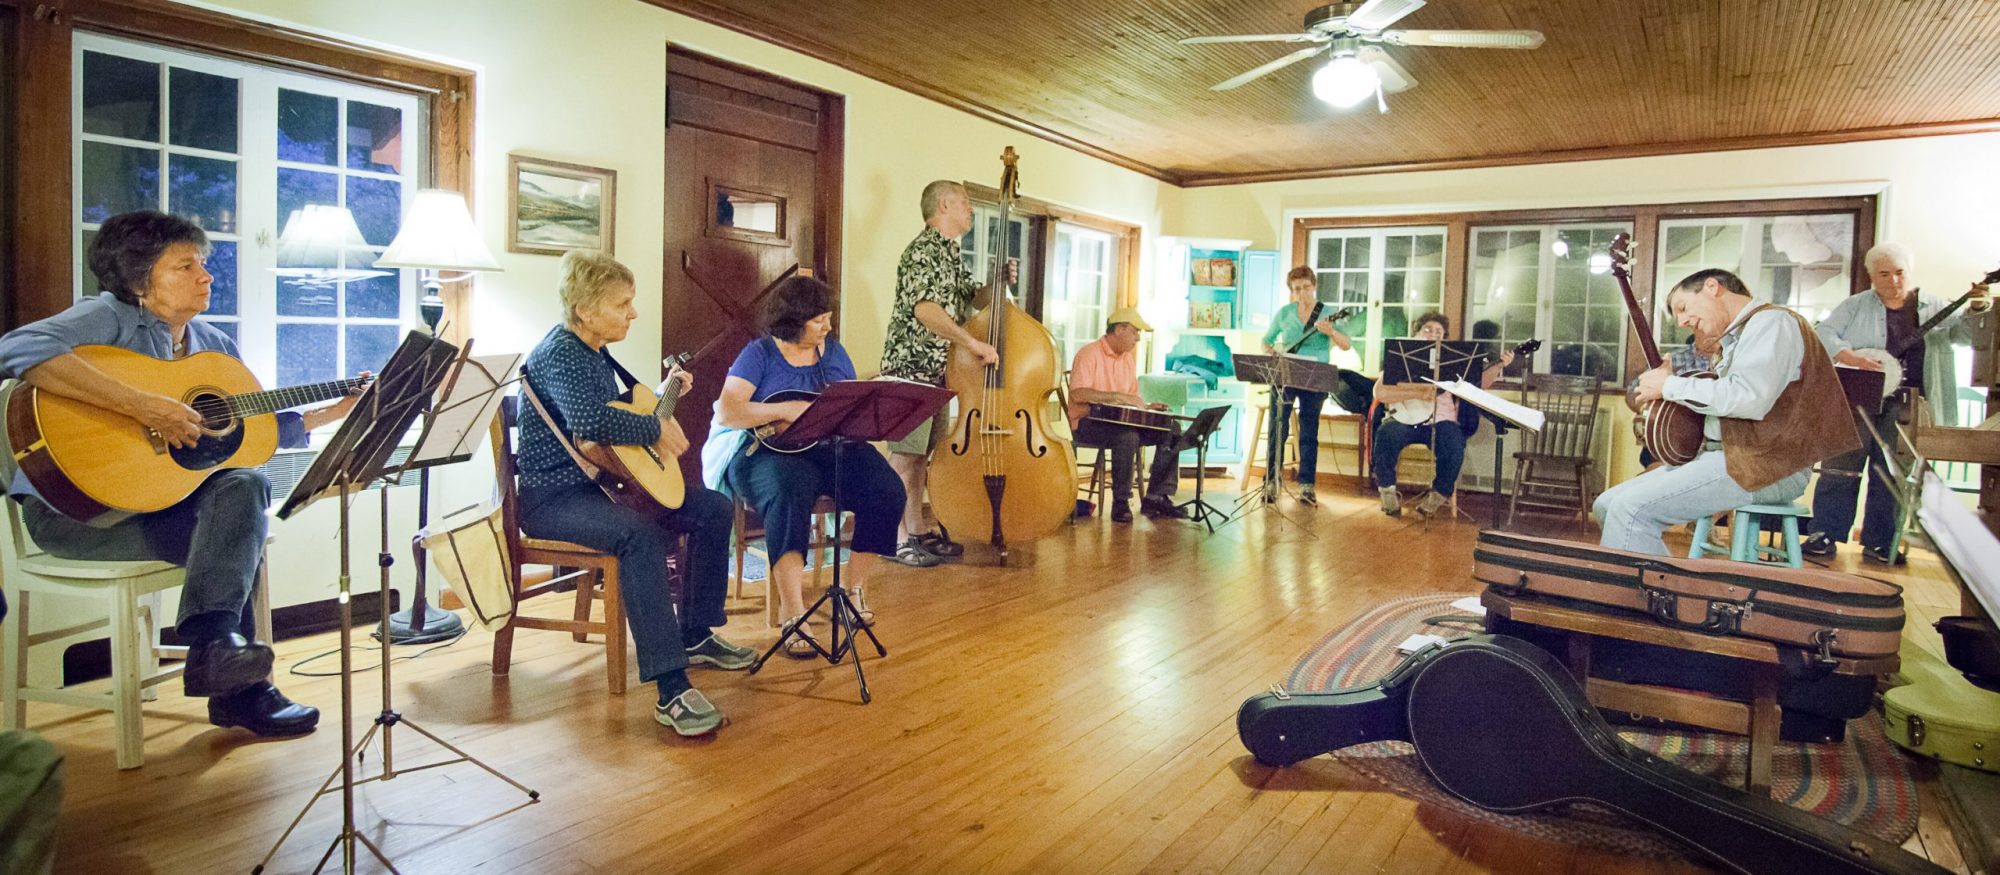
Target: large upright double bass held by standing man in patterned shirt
{"type": "Point", "coordinates": [1003, 472]}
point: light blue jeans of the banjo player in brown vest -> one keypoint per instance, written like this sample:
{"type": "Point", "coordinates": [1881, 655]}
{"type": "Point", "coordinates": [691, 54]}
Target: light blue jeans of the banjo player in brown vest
{"type": "Point", "coordinates": [1639, 510]}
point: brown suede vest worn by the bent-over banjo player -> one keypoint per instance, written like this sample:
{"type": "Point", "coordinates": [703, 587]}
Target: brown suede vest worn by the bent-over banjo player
{"type": "Point", "coordinates": [1809, 423]}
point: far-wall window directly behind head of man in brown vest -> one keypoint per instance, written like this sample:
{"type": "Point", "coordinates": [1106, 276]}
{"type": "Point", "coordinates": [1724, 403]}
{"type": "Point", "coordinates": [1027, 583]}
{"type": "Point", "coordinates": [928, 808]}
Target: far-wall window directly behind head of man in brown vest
{"type": "Point", "coordinates": [1799, 263]}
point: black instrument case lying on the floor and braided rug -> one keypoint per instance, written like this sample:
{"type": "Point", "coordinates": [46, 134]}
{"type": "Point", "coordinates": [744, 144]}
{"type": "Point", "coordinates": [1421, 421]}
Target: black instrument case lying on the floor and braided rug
{"type": "Point", "coordinates": [1507, 728]}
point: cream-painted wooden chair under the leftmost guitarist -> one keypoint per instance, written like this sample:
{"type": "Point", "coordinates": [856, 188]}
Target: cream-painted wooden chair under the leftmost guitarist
{"type": "Point", "coordinates": [131, 598]}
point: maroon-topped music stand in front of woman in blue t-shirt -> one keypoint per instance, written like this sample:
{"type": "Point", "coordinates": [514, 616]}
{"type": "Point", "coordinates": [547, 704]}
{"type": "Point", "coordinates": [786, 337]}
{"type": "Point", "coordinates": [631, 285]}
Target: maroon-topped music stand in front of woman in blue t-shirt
{"type": "Point", "coordinates": [851, 413]}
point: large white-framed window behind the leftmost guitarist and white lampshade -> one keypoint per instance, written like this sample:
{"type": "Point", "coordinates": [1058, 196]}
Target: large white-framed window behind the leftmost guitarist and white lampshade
{"type": "Point", "coordinates": [237, 149]}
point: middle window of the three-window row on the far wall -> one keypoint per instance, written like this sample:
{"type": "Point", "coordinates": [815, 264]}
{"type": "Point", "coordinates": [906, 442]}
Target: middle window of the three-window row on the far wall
{"type": "Point", "coordinates": [1543, 283]}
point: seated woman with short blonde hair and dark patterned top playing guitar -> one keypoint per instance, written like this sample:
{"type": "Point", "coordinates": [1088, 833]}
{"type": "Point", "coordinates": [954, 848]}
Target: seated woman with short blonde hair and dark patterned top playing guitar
{"type": "Point", "coordinates": [573, 375]}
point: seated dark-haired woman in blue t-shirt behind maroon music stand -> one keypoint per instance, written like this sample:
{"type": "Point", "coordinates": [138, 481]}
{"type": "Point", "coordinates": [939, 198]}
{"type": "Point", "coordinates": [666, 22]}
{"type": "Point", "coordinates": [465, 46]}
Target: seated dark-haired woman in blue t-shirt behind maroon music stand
{"type": "Point", "coordinates": [797, 355]}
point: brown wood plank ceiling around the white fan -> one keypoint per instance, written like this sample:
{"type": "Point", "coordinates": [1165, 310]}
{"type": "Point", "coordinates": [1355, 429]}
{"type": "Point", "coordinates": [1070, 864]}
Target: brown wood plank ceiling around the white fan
{"type": "Point", "coordinates": [1615, 79]}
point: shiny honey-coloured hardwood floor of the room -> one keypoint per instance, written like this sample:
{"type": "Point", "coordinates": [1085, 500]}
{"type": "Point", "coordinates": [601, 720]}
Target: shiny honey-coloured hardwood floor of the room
{"type": "Point", "coordinates": [1071, 718]}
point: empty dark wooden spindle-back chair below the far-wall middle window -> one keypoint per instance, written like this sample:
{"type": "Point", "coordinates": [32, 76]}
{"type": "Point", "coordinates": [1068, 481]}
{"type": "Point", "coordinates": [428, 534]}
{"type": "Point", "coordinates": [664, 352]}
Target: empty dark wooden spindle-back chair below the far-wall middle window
{"type": "Point", "coordinates": [1553, 468]}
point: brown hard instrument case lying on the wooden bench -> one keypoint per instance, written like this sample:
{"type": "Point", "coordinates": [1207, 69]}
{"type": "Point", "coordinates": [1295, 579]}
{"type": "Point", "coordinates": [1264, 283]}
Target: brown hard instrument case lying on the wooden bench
{"type": "Point", "coordinates": [1825, 612]}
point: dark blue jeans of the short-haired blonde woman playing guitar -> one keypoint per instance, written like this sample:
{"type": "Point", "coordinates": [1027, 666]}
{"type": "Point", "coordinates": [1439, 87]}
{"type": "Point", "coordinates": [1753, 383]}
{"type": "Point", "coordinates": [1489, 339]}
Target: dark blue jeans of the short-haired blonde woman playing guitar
{"type": "Point", "coordinates": [583, 514]}
